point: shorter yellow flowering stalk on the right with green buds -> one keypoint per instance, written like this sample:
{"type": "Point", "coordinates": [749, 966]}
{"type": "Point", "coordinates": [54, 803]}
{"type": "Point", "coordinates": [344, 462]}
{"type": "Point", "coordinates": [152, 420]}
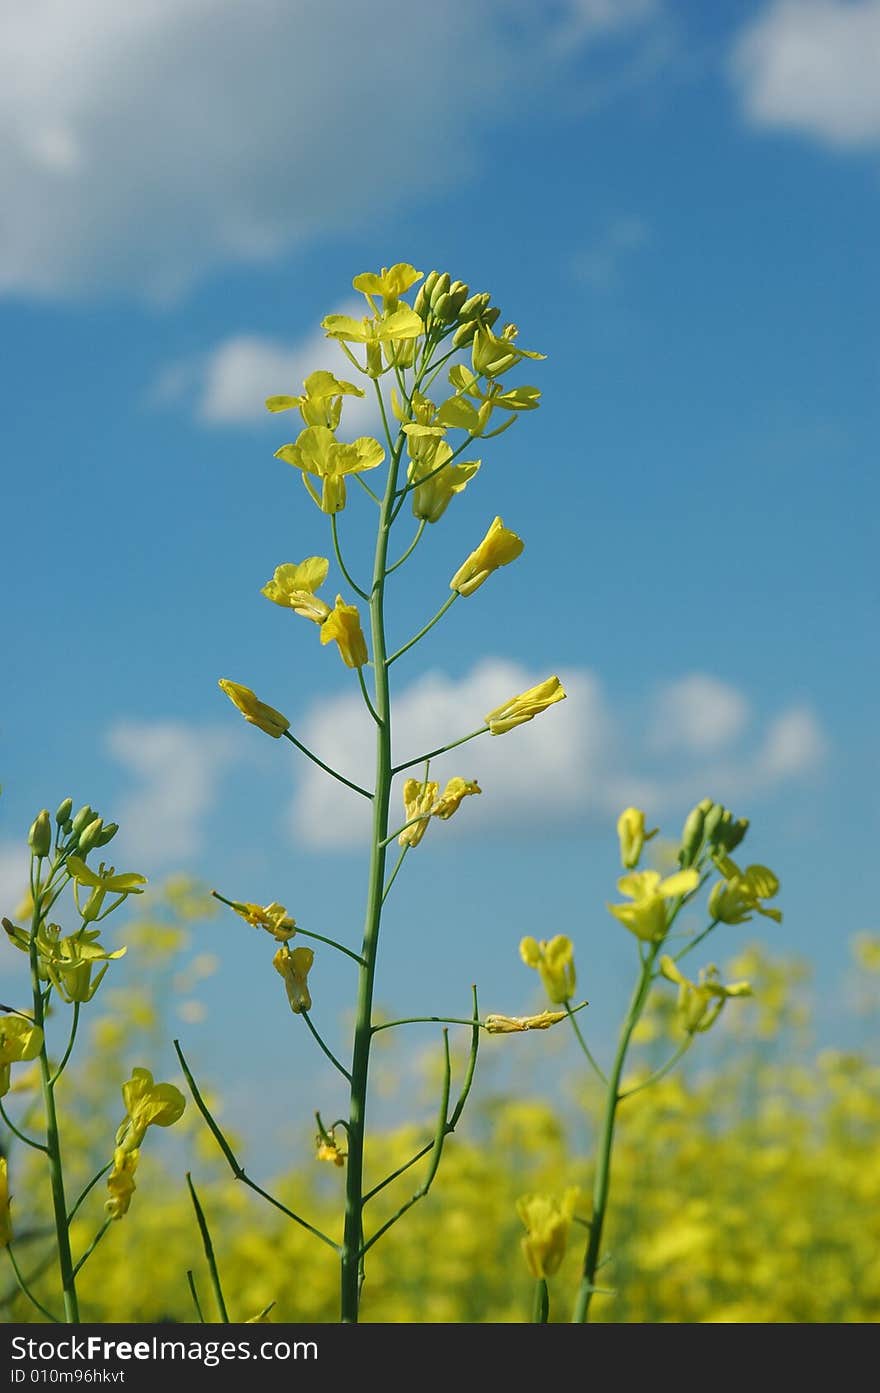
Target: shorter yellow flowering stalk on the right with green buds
{"type": "Point", "coordinates": [651, 909]}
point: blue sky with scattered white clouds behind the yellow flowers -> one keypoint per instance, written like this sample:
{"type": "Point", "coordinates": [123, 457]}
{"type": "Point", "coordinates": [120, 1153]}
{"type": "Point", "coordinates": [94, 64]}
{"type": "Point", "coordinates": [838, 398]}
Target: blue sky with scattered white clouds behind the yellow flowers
{"type": "Point", "coordinates": [679, 205]}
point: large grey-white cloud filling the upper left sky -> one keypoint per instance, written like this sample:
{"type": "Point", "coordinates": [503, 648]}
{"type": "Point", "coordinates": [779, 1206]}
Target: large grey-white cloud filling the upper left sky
{"type": "Point", "coordinates": [148, 143]}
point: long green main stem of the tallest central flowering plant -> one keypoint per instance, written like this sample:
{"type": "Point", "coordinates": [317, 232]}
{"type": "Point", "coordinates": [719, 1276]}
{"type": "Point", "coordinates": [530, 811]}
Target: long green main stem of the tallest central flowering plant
{"type": "Point", "coordinates": [353, 1235]}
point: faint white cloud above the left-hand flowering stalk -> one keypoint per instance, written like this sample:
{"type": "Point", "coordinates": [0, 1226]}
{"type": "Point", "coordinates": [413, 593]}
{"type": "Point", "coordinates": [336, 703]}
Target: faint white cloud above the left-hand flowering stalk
{"type": "Point", "coordinates": [179, 768]}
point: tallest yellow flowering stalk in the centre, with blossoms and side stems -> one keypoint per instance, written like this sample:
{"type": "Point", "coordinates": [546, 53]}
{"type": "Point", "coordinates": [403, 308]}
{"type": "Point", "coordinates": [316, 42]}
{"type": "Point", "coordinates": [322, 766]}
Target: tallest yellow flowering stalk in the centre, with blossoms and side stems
{"type": "Point", "coordinates": [442, 367]}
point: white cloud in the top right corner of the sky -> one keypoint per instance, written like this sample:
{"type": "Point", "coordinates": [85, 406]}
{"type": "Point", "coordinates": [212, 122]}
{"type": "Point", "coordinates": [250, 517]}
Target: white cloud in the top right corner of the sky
{"type": "Point", "coordinates": [812, 66]}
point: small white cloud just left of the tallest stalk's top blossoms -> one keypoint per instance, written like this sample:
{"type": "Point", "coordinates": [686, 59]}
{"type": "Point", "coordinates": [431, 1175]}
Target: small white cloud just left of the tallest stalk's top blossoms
{"type": "Point", "coordinates": [230, 384]}
